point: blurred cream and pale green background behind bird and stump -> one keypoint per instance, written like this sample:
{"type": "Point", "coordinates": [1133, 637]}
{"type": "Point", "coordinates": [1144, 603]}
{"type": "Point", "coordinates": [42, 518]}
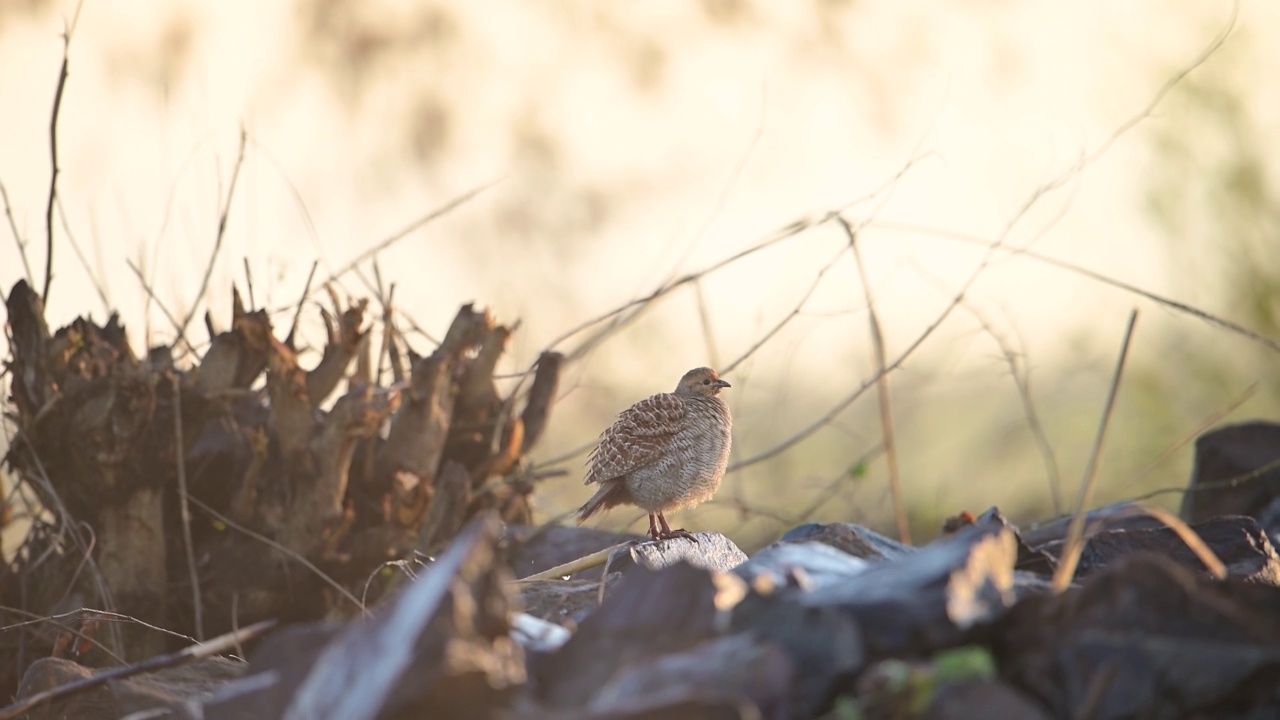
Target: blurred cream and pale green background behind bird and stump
{"type": "Point", "coordinates": [623, 147]}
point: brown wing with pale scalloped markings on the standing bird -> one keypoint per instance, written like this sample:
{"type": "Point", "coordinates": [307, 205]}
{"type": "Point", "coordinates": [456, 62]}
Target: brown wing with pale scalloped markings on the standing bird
{"type": "Point", "coordinates": [638, 439]}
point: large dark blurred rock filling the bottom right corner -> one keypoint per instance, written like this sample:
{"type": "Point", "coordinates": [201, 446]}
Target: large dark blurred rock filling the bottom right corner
{"type": "Point", "coordinates": [1148, 639]}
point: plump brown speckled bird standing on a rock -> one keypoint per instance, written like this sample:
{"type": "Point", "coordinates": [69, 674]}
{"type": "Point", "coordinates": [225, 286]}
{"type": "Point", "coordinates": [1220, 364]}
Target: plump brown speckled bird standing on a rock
{"type": "Point", "coordinates": [664, 454]}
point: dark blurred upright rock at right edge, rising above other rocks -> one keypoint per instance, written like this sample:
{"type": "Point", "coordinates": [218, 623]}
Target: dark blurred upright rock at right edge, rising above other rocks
{"type": "Point", "coordinates": [1237, 472]}
